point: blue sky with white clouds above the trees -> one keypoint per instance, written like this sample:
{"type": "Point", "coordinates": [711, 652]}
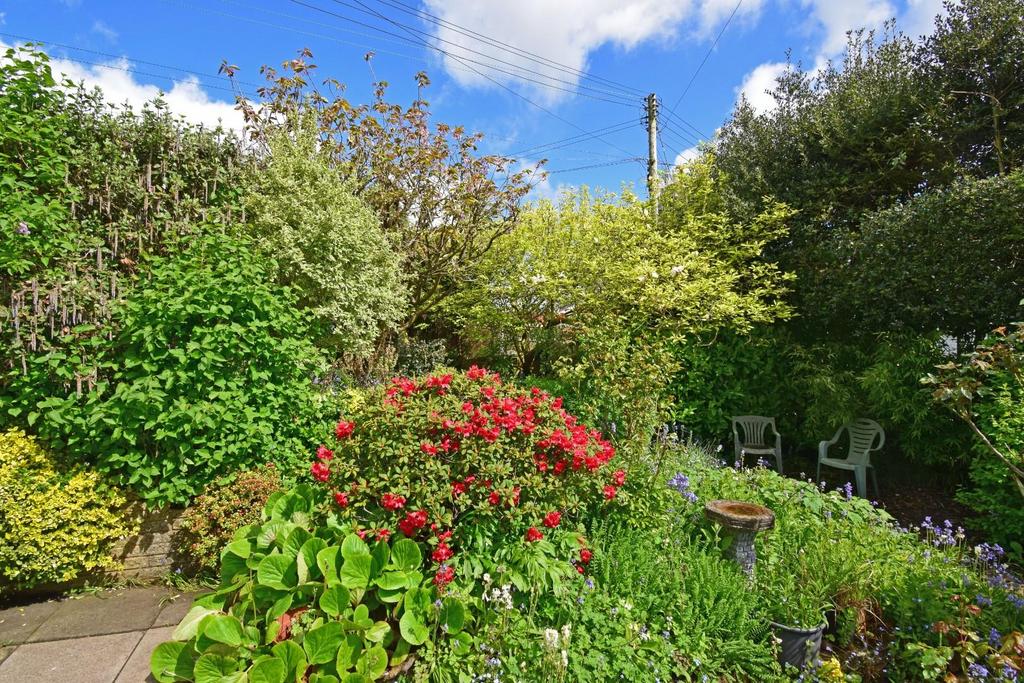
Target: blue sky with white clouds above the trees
{"type": "Point", "coordinates": [633, 47]}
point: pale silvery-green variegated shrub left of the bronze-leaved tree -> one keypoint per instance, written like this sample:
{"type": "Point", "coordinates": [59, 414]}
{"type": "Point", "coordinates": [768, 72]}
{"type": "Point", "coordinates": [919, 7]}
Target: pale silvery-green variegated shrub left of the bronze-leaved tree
{"type": "Point", "coordinates": [324, 242]}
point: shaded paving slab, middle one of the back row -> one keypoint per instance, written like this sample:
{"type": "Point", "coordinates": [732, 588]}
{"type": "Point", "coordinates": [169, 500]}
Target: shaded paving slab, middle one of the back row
{"type": "Point", "coordinates": [115, 612]}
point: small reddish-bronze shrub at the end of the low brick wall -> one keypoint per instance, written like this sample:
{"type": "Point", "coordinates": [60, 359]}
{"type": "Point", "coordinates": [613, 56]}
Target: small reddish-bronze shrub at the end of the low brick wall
{"type": "Point", "coordinates": [210, 523]}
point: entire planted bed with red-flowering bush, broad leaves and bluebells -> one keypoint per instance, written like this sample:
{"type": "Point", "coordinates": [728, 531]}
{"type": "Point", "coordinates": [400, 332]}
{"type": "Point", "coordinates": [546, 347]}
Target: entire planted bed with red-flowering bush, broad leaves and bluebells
{"type": "Point", "coordinates": [441, 540]}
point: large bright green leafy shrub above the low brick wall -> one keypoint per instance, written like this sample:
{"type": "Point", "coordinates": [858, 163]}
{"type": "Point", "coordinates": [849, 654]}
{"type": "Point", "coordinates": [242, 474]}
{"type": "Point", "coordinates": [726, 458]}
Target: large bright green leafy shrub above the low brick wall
{"type": "Point", "coordinates": [211, 373]}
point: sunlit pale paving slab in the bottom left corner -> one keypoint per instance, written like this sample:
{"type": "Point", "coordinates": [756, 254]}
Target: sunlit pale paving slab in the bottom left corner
{"type": "Point", "coordinates": [95, 660]}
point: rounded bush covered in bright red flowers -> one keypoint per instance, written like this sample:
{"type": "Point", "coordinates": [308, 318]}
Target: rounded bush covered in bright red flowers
{"type": "Point", "coordinates": [465, 462]}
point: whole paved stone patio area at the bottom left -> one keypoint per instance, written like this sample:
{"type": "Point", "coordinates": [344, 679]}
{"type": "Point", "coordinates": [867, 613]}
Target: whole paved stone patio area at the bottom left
{"type": "Point", "coordinates": [102, 638]}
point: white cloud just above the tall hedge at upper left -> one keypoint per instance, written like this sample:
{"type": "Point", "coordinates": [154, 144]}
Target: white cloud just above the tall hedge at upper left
{"type": "Point", "coordinates": [185, 97]}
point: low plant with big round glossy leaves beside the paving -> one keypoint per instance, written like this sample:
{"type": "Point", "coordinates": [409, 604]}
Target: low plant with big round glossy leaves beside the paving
{"type": "Point", "coordinates": [302, 599]}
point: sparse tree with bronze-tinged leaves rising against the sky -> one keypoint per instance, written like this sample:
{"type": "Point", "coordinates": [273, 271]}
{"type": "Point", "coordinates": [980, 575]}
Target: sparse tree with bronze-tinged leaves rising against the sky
{"type": "Point", "coordinates": [442, 204]}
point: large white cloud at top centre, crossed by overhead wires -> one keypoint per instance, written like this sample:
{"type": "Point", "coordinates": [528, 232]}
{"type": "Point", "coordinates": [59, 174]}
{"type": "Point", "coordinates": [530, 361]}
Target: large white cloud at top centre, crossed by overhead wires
{"type": "Point", "coordinates": [566, 32]}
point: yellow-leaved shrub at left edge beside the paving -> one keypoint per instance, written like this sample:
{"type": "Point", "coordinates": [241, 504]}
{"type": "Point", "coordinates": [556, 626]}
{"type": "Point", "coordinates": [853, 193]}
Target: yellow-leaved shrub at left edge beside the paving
{"type": "Point", "coordinates": [57, 524]}
